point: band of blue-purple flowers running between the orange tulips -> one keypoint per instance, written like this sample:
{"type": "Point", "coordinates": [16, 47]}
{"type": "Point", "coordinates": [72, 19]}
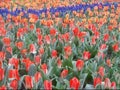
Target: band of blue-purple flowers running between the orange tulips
{"type": "Point", "coordinates": [52, 10]}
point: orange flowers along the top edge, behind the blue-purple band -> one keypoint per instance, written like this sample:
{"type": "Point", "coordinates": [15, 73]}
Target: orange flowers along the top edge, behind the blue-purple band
{"type": "Point", "coordinates": [40, 4]}
